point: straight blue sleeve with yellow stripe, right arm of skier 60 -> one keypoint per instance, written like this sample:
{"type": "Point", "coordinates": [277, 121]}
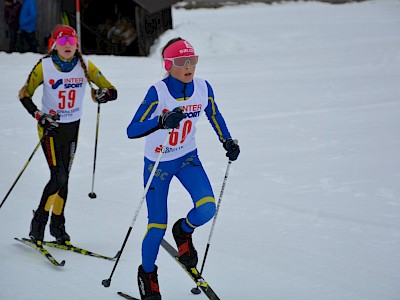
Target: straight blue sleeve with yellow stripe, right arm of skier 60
{"type": "Point", "coordinates": [215, 117]}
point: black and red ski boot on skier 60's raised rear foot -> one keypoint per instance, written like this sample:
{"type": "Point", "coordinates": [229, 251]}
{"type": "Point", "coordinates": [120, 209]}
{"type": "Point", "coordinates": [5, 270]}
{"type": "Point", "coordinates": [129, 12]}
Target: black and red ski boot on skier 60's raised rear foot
{"type": "Point", "coordinates": [187, 252]}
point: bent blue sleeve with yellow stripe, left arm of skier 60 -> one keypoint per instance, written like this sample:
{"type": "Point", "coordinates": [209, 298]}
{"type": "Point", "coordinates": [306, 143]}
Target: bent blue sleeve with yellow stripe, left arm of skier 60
{"type": "Point", "coordinates": [141, 124]}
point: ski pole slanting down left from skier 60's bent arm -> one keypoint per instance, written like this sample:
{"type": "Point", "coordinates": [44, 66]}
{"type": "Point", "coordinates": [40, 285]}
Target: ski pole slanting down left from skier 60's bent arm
{"type": "Point", "coordinates": [107, 282]}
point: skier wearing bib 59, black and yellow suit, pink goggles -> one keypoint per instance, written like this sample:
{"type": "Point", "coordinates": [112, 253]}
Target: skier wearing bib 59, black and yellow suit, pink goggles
{"type": "Point", "coordinates": [64, 74]}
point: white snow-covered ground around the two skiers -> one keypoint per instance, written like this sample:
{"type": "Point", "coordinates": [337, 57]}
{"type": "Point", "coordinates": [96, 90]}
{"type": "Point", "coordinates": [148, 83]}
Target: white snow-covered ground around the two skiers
{"type": "Point", "coordinates": [311, 209]}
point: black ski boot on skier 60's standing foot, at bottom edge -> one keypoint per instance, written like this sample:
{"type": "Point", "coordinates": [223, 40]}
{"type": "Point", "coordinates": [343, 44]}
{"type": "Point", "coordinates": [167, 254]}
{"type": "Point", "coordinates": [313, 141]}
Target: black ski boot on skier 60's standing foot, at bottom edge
{"type": "Point", "coordinates": [148, 284]}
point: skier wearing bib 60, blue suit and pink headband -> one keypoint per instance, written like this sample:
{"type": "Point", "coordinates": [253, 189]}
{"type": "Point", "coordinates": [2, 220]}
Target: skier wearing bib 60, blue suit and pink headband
{"type": "Point", "coordinates": [176, 103]}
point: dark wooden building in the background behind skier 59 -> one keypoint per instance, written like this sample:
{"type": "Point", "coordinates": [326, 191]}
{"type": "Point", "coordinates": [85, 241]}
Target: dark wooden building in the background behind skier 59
{"type": "Point", "coordinates": [116, 27]}
